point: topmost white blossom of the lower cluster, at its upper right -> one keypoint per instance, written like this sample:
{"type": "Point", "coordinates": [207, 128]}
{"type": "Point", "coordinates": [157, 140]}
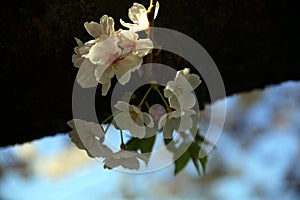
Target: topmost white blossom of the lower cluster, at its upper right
{"type": "Point", "coordinates": [180, 91]}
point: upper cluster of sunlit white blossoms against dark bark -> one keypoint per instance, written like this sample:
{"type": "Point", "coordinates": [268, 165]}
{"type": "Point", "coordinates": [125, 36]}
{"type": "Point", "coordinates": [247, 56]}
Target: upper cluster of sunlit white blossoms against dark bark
{"type": "Point", "coordinates": [112, 52]}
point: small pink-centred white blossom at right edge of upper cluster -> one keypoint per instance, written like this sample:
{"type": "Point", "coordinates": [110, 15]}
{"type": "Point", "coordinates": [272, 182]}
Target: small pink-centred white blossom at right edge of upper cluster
{"type": "Point", "coordinates": [130, 42]}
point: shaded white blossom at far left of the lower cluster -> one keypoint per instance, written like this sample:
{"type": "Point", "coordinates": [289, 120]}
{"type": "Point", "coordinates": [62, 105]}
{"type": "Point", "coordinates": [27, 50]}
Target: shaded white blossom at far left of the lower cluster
{"type": "Point", "coordinates": [89, 136]}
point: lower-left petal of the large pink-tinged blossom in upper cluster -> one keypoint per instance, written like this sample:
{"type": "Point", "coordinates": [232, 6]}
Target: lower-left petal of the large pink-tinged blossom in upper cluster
{"type": "Point", "coordinates": [85, 76]}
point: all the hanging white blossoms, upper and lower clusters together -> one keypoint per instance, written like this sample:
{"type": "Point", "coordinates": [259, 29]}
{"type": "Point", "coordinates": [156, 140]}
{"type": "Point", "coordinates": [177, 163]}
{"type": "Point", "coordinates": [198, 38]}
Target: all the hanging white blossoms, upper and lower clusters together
{"type": "Point", "coordinates": [119, 53]}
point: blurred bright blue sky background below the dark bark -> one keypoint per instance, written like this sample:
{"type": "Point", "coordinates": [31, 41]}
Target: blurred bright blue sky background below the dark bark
{"type": "Point", "coordinates": [251, 165]}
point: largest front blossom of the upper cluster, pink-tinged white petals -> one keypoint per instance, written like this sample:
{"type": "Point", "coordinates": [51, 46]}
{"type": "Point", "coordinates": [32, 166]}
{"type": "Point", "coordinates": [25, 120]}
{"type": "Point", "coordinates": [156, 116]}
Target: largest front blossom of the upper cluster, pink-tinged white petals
{"type": "Point", "coordinates": [106, 60]}
